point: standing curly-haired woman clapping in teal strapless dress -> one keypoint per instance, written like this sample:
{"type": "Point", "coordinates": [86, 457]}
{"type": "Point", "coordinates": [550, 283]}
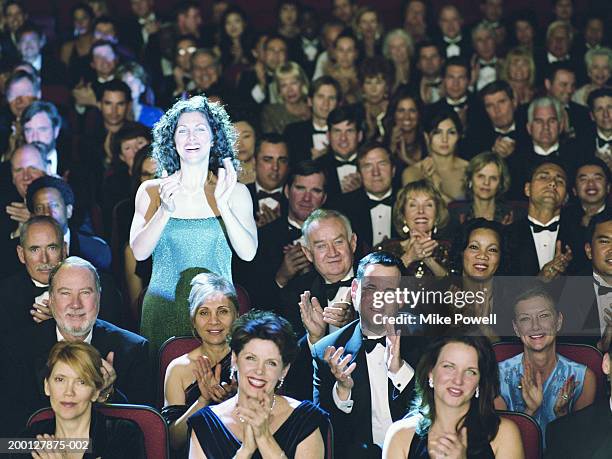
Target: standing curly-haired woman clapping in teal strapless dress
{"type": "Point", "coordinates": [184, 219]}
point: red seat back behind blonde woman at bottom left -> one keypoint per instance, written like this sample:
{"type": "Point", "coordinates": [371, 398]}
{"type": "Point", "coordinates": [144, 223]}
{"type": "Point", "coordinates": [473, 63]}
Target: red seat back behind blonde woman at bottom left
{"type": "Point", "coordinates": [150, 422]}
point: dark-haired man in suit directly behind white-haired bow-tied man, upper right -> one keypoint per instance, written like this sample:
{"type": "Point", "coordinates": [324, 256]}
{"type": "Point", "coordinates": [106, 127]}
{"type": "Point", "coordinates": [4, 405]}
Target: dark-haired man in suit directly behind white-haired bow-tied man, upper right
{"type": "Point", "coordinates": [560, 83]}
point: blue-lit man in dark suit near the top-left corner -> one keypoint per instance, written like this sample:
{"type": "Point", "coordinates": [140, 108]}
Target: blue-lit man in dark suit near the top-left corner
{"type": "Point", "coordinates": [31, 42]}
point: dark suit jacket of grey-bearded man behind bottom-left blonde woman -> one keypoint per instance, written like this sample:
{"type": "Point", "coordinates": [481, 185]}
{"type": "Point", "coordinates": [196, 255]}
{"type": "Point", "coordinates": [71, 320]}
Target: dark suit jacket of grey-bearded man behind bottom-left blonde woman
{"type": "Point", "coordinates": [23, 360]}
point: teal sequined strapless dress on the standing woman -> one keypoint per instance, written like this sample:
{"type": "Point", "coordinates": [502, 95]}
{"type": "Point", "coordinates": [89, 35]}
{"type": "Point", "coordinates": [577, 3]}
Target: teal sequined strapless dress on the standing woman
{"type": "Point", "coordinates": [186, 247]}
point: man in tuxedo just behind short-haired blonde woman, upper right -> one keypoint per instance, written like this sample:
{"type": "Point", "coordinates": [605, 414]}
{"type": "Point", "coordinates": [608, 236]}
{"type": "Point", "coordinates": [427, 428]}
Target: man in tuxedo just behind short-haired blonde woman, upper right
{"type": "Point", "coordinates": [486, 66]}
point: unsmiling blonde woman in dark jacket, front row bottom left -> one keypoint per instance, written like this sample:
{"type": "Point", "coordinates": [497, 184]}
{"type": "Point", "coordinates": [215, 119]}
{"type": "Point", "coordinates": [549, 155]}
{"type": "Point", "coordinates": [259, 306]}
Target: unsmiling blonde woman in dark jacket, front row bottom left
{"type": "Point", "coordinates": [74, 378]}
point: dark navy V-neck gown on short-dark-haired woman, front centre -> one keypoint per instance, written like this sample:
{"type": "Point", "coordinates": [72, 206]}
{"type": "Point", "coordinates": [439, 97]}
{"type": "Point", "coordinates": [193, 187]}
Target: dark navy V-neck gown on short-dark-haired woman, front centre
{"type": "Point", "coordinates": [217, 441]}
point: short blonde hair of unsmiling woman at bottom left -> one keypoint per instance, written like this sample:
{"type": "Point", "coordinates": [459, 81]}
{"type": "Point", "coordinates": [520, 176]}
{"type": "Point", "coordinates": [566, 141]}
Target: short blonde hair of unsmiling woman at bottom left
{"type": "Point", "coordinates": [82, 357]}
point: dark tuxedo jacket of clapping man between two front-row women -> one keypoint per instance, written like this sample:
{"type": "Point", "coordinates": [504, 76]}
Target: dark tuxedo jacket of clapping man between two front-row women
{"type": "Point", "coordinates": [356, 428]}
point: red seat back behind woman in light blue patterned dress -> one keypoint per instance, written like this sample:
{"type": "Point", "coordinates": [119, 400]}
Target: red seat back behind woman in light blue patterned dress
{"type": "Point", "coordinates": [581, 353]}
